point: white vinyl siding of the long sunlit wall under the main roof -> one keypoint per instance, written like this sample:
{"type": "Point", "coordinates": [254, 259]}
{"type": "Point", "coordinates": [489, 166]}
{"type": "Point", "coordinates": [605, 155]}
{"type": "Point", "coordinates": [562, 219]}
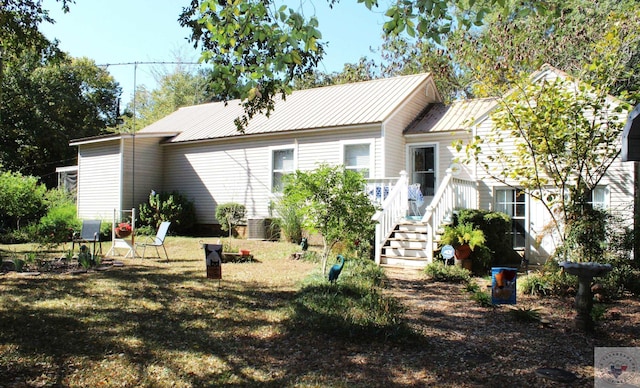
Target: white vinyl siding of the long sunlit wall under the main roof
{"type": "Point", "coordinates": [217, 172]}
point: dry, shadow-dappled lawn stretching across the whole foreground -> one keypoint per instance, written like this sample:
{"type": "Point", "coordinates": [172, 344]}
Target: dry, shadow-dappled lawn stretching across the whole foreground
{"type": "Point", "coordinates": [275, 323]}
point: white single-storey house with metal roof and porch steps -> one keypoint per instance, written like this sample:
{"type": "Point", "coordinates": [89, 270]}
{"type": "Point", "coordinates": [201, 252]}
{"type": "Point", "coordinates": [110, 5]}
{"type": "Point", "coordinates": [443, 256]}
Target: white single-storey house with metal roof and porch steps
{"type": "Point", "coordinates": [381, 128]}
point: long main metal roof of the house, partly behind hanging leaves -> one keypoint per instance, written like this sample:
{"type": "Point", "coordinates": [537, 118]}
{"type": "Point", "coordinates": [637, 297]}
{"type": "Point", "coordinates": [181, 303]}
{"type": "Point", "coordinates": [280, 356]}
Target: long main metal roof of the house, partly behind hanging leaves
{"type": "Point", "coordinates": [325, 107]}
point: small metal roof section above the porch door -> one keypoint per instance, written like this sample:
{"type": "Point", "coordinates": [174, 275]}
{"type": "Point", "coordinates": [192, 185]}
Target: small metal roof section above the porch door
{"type": "Point", "coordinates": [456, 116]}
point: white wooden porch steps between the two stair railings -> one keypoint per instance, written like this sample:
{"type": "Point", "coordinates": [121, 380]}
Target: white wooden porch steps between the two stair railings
{"type": "Point", "coordinates": [407, 246]}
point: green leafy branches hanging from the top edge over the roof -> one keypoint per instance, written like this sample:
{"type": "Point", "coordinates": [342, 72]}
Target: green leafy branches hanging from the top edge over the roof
{"type": "Point", "coordinates": [258, 49]}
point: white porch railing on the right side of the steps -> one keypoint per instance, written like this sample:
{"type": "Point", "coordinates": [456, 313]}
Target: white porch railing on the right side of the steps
{"type": "Point", "coordinates": [453, 193]}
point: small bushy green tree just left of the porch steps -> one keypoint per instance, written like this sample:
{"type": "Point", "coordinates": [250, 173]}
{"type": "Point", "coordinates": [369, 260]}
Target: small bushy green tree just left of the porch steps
{"type": "Point", "coordinates": [333, 203]}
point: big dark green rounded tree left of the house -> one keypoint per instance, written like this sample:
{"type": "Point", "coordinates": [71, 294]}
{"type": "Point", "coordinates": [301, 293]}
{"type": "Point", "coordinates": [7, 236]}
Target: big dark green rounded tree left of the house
{"type": "Point", "coordinates": [47, 102]}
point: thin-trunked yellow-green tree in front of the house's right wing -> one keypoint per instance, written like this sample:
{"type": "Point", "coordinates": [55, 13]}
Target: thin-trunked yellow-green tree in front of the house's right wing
{"type": "Point", "coordinates": [557, 139]}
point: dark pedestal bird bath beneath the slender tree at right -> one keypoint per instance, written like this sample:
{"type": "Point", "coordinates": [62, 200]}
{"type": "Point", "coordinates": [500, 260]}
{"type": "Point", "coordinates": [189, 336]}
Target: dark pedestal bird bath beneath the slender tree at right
{"type": "Point", "coordinates": [584, 299]}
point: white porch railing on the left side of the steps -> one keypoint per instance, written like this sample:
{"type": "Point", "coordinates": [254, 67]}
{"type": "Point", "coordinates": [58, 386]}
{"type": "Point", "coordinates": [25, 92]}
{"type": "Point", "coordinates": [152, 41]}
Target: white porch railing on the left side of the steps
{"type": "Point", "coordinates": [394, 206]}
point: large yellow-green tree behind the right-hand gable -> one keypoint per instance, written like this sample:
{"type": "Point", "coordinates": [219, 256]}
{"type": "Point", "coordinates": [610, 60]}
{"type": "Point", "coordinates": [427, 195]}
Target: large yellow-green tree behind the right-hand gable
{"type": "Point", "coordinates": [507, 47]}
